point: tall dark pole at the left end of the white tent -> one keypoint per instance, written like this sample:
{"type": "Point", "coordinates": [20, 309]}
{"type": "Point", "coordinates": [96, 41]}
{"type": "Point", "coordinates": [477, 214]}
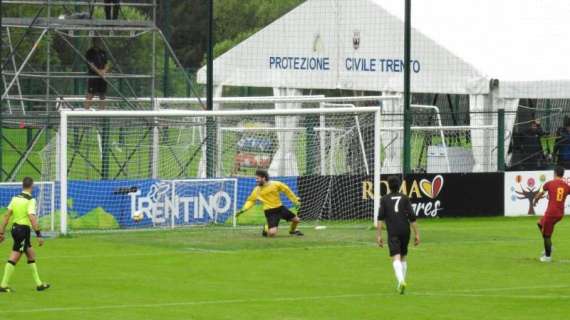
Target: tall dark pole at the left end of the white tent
{"type": "Point", "coordinates": [210, 123]}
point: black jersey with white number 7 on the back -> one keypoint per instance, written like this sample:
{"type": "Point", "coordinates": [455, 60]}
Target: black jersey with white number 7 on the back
{"type": "Point", "coordinates": [397, 212]}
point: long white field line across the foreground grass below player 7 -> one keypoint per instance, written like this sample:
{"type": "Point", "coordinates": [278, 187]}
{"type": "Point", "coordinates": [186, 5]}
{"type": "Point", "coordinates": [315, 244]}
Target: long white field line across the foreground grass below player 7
{"type": "Point", "coordinates": [300, 299]}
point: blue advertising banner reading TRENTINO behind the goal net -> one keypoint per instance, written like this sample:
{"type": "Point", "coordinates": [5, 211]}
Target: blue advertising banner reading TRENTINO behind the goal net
{"type": "Point", "coordinates": [148, 202]}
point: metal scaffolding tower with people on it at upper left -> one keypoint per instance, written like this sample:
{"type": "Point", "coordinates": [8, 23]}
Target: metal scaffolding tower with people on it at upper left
{"type": "Point", "coordinates": [67, 22]}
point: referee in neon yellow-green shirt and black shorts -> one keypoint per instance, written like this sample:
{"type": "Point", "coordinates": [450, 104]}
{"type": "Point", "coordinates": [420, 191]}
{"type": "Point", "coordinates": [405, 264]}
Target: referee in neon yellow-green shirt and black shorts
{"type": "Point", "coordinates": [22, 211]}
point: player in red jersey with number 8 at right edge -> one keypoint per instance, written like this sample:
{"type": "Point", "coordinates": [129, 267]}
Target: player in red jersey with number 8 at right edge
{"type": "Point", "coordinates": [557, 190]}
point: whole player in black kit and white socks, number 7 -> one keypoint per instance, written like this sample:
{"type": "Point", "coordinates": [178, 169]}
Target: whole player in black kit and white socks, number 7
{"type": "Point", "coordinates": [397, 213]}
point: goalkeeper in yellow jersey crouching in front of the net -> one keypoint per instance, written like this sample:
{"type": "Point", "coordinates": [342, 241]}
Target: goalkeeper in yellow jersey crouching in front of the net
{"type": "Point", "coordinates": [268, 193]}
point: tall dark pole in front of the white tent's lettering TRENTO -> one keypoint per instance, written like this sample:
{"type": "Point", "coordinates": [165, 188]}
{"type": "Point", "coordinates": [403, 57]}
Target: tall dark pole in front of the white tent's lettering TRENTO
{"type": "Point", "coordinates": [407, 95]}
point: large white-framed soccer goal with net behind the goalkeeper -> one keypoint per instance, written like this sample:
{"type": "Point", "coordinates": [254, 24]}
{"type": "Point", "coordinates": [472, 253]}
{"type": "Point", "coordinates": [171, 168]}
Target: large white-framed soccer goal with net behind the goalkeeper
{"type": "Point", "coordinates": [170, 168]}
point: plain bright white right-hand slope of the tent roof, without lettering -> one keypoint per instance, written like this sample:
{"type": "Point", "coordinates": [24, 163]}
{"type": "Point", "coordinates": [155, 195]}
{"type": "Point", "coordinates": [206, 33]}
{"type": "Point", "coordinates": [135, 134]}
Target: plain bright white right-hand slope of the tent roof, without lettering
{"type": "Point", "coordinates": [507, 39]}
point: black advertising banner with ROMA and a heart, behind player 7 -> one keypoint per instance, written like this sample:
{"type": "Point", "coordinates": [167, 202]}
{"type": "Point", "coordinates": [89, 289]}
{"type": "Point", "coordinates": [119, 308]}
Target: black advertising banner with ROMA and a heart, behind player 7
{"type": "Point", "coordinates": [444, 195]}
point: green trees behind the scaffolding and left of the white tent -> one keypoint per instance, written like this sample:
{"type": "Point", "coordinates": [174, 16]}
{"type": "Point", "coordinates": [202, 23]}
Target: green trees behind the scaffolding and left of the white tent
{"type": "Point", "coordinates": [185, 22]}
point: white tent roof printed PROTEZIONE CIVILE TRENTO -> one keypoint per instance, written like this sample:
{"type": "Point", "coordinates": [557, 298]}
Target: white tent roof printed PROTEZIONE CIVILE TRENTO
{"type": "Point", "coordinates": [459, 46]}
